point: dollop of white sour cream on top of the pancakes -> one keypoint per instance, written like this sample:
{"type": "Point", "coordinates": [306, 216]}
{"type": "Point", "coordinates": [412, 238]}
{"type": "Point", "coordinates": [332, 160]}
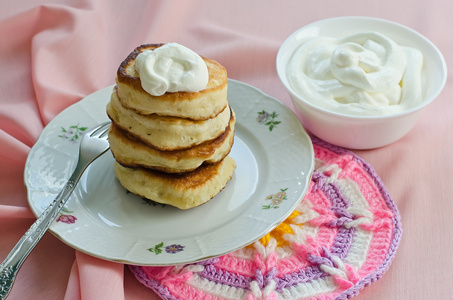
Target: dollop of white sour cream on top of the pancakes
{"type": "Point", "coordinates": [171, 68]}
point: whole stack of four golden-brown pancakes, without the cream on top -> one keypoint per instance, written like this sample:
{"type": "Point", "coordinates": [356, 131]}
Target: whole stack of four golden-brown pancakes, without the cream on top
{"type": "Point", "coordinates": [172, 149]}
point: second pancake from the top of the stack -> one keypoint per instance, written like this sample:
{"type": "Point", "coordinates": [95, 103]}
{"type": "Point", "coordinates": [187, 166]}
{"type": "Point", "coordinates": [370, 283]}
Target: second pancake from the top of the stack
{"type": "Point", "coordinates": [166, 133]}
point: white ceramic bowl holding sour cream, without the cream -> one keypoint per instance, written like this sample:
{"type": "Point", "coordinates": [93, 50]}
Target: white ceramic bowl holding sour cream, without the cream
{"type": "Point", "coordinates": [362, 132]}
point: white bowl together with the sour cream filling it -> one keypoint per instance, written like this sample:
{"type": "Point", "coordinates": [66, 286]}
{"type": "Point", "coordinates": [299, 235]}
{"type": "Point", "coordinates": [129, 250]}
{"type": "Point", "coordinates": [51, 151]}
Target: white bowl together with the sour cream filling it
{"type": "Point", "coordinates": [360, 82]}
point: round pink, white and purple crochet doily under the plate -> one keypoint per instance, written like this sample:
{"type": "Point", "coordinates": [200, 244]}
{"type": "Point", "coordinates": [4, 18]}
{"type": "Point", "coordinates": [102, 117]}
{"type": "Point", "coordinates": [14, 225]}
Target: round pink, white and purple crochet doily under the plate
{"type": "Point", "coordinates": [342, 237]}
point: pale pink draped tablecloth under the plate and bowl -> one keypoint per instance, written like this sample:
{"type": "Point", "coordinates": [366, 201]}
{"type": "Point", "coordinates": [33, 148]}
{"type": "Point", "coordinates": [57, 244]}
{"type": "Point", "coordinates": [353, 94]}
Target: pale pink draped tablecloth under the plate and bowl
{"type": "Point", "coordinates": [54, 54]}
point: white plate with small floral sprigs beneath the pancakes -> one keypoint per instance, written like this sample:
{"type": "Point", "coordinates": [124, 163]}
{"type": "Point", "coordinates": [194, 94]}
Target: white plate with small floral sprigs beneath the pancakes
{"type": "Point", "coordinates": [105, 221]}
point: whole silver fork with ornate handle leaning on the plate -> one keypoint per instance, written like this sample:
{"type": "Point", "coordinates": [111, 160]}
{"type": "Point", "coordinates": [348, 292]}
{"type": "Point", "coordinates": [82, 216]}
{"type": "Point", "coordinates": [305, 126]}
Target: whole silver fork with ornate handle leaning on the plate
{"type": "Point", "coordinates": [94, 143]}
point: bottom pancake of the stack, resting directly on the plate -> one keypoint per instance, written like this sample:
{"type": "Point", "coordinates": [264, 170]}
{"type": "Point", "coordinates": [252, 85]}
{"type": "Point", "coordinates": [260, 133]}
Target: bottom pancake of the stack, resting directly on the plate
{"type": "Point", "coordinates": [184, 190]}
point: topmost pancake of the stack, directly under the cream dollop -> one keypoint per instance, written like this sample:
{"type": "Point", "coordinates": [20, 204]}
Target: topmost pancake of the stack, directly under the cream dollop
{"type": "Point", "coordinates": [200, 105]}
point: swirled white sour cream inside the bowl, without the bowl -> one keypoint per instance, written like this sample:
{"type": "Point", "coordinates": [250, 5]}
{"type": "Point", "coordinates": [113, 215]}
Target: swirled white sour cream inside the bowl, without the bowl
{"type": "Point", "coordinates": [365, 74]}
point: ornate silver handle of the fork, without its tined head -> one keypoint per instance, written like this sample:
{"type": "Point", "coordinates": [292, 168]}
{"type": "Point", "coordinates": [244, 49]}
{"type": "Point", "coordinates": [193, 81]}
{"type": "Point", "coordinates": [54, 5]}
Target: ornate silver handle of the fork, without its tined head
{"type": "Point", "coordinates": [12, 263]}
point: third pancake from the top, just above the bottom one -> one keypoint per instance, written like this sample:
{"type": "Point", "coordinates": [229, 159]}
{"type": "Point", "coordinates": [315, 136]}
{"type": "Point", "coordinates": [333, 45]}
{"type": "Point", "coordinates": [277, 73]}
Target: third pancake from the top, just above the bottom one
{"type": "Point", "coordinates": [131, 152]}
